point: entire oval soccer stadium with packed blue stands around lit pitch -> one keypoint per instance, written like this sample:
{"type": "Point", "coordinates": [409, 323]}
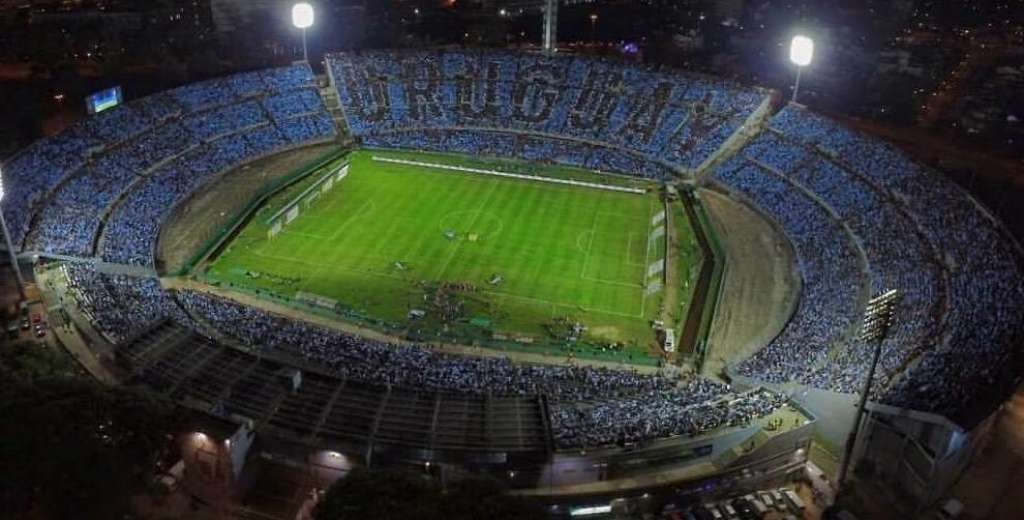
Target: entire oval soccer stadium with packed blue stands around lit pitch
{"type": "Point", "coordinates": [587, 278]}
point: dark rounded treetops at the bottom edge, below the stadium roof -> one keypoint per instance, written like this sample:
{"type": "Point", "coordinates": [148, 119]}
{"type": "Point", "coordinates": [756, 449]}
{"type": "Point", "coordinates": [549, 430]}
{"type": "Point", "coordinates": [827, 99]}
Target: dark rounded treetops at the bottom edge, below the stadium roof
{"type": "Point", "coordinates": [388, 495]}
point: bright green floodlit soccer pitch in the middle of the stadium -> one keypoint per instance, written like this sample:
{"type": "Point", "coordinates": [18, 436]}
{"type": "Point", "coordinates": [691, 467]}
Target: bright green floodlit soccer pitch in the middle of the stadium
{"type": "Point", "coordinates": [484, 256]}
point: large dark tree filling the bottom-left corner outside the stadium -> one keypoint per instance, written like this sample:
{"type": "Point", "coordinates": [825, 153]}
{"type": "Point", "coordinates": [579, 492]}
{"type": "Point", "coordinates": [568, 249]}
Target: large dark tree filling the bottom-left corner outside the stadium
{"type": "Point", "coordinates": [73, 448]}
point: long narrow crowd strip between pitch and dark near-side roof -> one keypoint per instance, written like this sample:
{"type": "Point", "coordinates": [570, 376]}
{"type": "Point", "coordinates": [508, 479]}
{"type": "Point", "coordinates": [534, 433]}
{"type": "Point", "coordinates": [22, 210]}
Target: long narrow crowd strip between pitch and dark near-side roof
{"type": "Point", "coordinates": [410, 367]}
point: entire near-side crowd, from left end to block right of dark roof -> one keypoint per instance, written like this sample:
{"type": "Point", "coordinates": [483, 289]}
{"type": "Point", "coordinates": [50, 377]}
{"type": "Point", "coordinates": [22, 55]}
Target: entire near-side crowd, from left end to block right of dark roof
{"type": "Point", "coordinates": [590, 407]}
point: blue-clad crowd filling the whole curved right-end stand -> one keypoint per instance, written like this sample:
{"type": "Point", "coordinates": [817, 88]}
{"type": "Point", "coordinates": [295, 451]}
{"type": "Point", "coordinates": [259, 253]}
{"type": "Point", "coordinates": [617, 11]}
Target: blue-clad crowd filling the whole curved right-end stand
{"type": "Point", "coordinates": [955, 348]}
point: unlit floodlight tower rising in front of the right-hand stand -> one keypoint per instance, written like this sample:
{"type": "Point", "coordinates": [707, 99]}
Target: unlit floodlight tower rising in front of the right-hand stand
{"type": "Point", "coordinates": [879, 319]}
